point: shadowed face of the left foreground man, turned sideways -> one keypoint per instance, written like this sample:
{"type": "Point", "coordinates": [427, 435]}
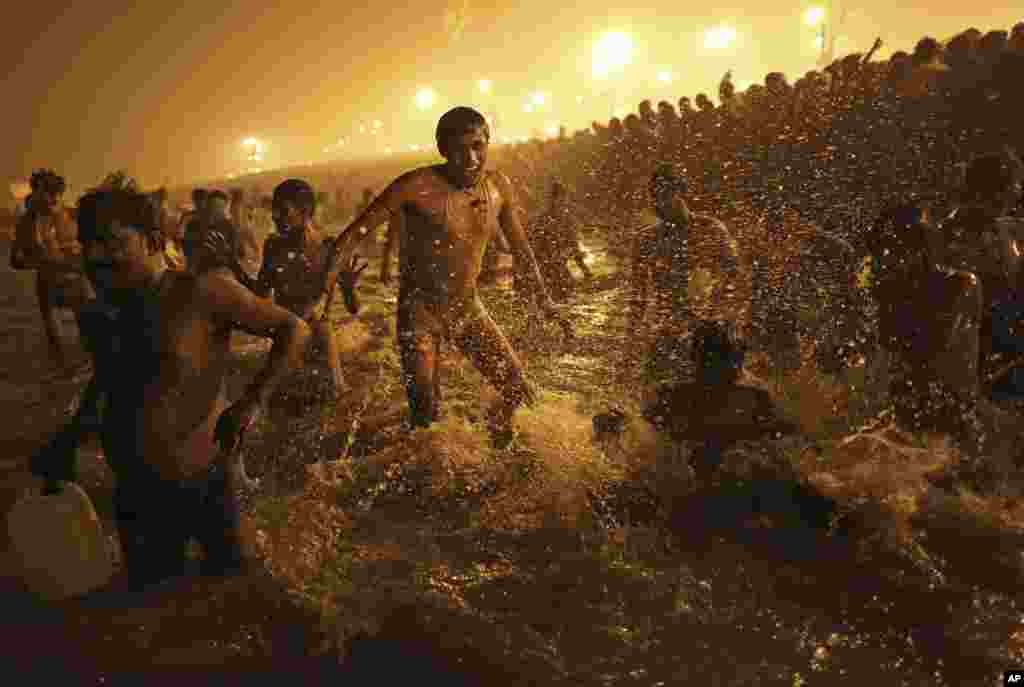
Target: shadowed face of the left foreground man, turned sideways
{"type": "Point", "coordinates": [116, 257]}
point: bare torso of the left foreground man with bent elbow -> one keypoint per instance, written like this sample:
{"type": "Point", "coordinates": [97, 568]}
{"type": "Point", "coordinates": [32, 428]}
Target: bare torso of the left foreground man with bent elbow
{"type": "Point", "coordinates": [165, 377]}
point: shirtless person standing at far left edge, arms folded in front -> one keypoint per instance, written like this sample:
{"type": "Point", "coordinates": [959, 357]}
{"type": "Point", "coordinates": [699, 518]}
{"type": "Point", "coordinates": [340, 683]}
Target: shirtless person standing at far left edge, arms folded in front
{"type": "Point", "coordinates": [46, 241]}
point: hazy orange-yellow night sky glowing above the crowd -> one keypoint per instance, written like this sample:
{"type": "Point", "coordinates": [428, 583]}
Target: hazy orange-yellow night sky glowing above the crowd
{"type": "Point", "coordinates": [169, 93]}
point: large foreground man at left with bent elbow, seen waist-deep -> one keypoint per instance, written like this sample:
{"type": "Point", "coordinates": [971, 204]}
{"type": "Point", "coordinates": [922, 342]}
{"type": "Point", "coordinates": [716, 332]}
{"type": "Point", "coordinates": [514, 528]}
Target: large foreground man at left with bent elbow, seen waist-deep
{"type": "Point", "coordinates": [162, 367]}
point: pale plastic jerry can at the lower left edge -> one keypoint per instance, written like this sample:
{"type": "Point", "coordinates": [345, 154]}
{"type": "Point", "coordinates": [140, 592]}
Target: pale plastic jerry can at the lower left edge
{"type": "Point", "coordinates": [59, 543]}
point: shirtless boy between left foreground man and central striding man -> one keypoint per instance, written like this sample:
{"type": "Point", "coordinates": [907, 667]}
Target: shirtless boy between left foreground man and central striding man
{"type": "Point", "coordinates": [295, 269]}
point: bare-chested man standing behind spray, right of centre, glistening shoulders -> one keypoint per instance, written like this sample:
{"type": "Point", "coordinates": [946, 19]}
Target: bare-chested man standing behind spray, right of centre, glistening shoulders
{"type": "Point", "coordinates": [690, 266]}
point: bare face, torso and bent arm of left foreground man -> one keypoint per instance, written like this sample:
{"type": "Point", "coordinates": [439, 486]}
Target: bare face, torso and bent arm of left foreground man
{"type": "Point", "coordinates": [166, 387]}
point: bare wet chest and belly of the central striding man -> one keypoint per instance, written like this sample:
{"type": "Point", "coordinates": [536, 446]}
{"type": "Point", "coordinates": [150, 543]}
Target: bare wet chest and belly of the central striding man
{"type": "Point", "coordinates": [446, 232]}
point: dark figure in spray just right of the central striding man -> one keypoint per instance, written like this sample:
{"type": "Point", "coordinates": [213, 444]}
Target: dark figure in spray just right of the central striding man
{"type": "Point", "coordinates": [556, 239]}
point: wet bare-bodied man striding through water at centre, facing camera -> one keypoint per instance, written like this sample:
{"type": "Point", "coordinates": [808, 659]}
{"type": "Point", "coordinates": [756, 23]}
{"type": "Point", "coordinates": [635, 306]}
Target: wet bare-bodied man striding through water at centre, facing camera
{"type": "Point", "coordinates": [449, 214]}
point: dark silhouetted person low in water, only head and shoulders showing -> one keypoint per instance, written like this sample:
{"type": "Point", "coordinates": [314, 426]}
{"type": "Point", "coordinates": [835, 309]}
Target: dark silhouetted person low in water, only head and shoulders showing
{"type": "Point", "coordinates": [716, 410]}
